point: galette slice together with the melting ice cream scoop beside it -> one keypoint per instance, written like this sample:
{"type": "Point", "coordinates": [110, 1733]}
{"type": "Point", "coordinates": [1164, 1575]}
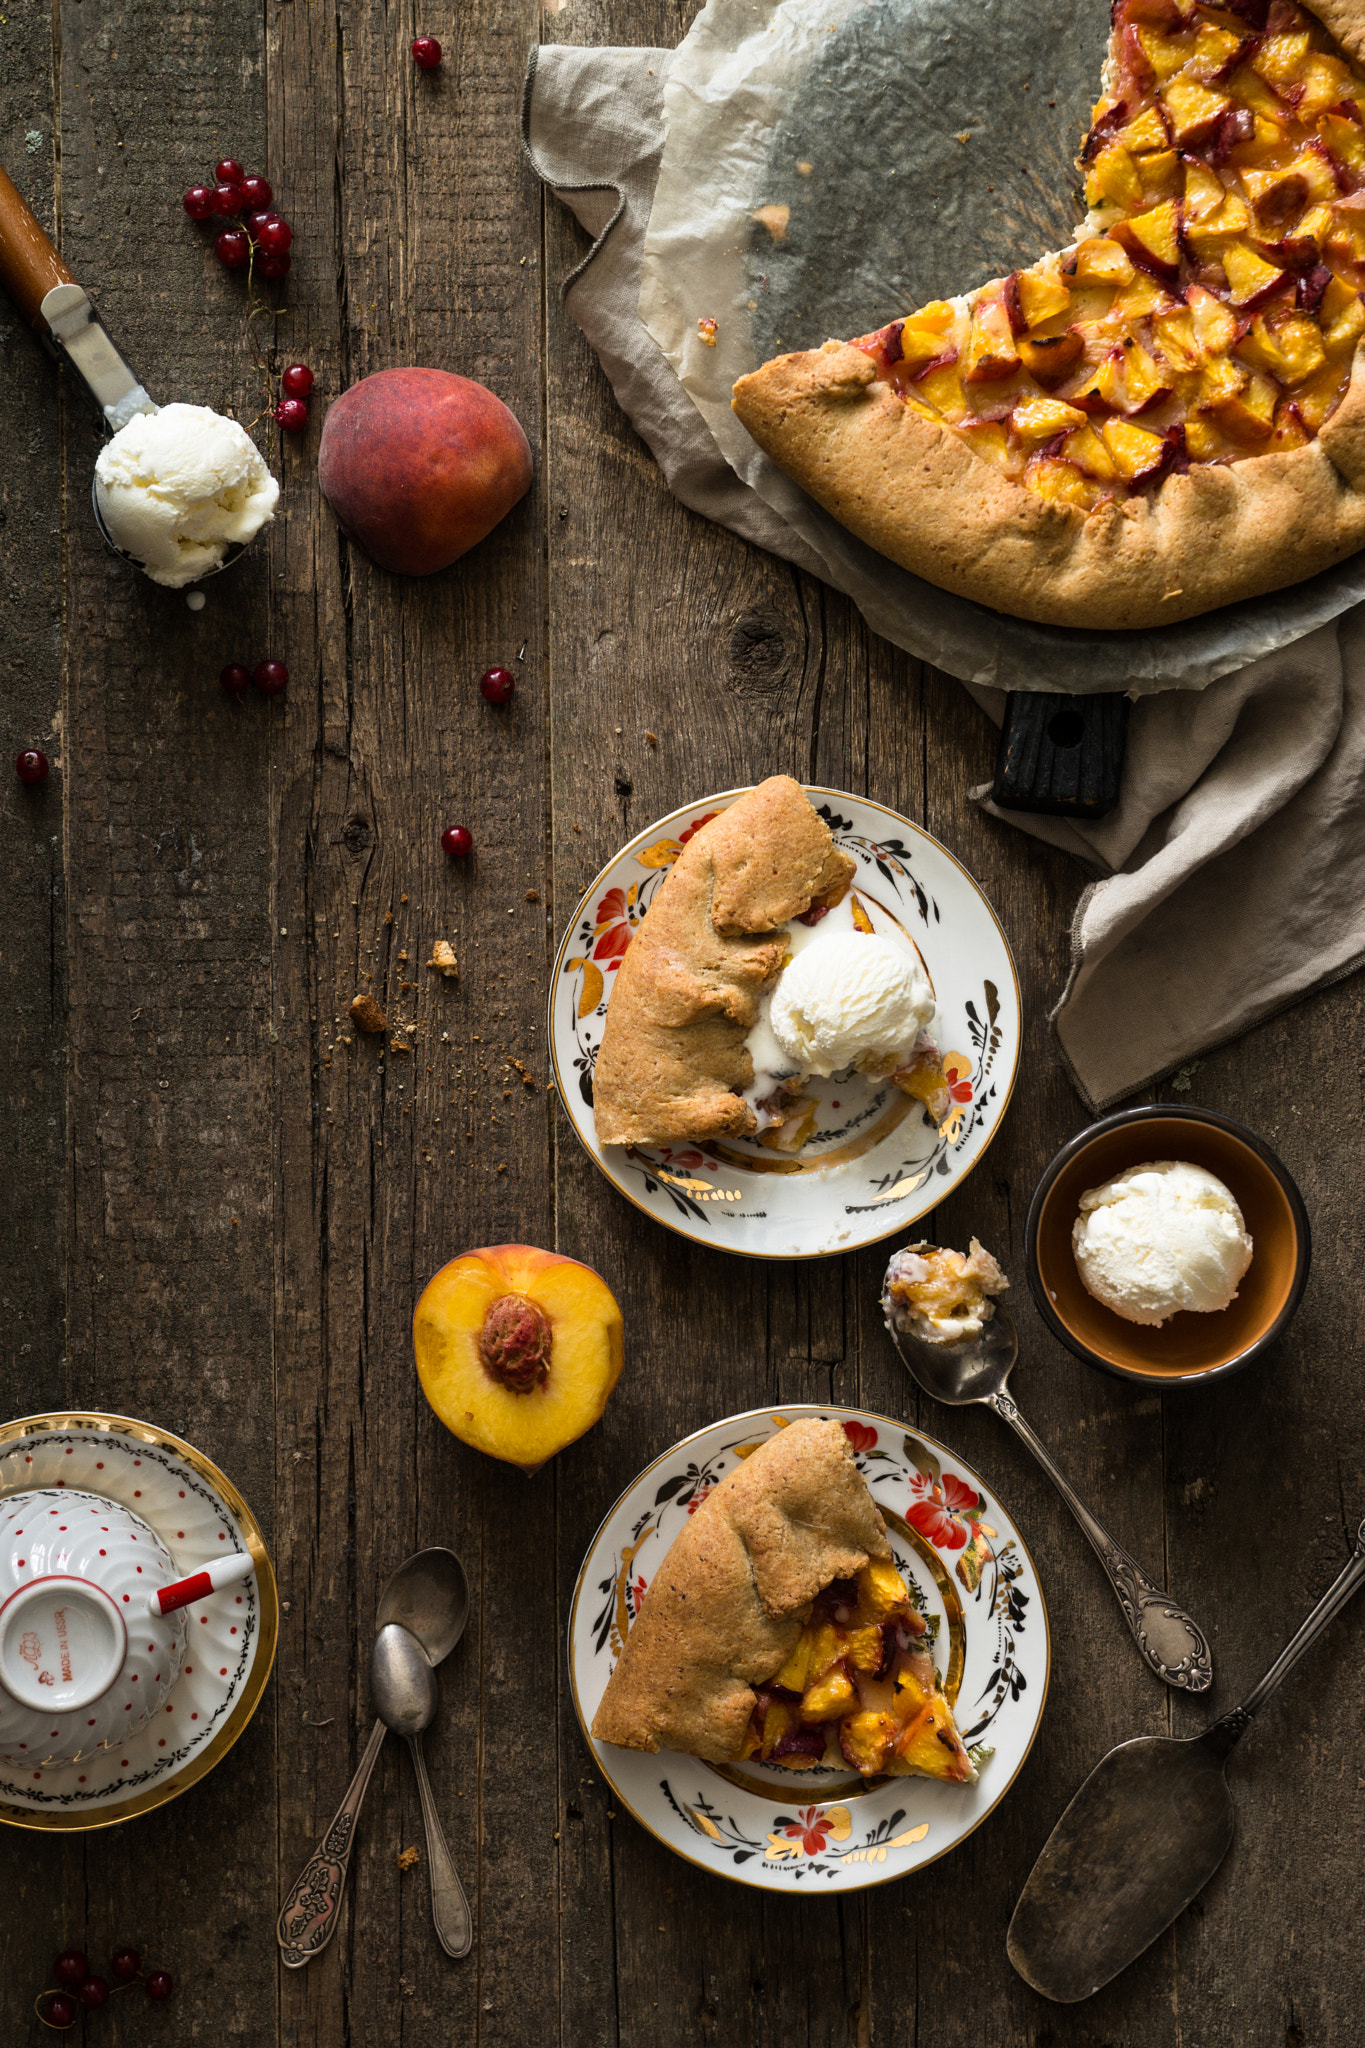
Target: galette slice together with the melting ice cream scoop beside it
{"type": "Point", "coordinates": [756, 970]}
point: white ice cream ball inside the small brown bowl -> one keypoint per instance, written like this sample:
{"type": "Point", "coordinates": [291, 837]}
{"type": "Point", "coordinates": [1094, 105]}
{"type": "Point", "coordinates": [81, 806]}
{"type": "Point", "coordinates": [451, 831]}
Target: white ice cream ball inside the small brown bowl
{"type": "Point", "coordinates": [1161, 1238]}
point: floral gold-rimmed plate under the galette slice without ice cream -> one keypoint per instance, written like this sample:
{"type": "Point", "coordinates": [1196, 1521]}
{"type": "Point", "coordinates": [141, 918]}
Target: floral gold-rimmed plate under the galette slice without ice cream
{"type": "Point", "coordinates": [828, 1830]}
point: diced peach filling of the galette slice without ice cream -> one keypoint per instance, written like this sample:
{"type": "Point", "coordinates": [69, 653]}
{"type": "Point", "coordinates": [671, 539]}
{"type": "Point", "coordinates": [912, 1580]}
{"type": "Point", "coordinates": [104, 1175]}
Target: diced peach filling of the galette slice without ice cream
{"type": "Point", "coordinates": [861, 1687]}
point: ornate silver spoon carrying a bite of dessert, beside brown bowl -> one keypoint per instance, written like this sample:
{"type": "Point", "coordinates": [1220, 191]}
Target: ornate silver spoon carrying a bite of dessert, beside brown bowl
{"type": "Point", "coordinates": [975, 1369]}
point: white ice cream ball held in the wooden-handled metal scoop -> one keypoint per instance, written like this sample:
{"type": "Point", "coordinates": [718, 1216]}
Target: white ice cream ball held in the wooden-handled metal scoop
{"type": "Point", "coordinates": [177, 488]}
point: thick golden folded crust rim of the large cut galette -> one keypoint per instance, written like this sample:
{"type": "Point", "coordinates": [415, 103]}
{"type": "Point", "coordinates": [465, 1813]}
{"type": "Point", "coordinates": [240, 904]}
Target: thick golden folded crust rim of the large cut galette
{"type": "Point", "coordinates": [916, 493]}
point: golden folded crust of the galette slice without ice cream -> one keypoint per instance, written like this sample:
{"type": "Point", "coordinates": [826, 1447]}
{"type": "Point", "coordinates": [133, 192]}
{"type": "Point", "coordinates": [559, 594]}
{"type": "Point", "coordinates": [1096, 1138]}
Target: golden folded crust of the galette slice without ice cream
{"type": "Point", "coordinates": [734, 1592]}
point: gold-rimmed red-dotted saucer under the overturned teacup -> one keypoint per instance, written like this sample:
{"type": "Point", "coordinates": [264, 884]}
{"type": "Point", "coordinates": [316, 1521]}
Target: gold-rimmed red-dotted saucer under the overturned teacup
{"type": "Point", "coordinates": [232, 1635]}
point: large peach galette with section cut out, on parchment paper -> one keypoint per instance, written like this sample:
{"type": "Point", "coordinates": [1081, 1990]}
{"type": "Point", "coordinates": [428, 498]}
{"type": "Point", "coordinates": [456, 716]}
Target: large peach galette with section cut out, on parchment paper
{"type": "Point", "coordinates": [1165, 417]}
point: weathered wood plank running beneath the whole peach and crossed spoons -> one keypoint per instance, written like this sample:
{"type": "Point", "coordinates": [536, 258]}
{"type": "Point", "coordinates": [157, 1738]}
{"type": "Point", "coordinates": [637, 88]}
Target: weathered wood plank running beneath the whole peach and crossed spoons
{"type": "Point", "coordinates": [423, 249]}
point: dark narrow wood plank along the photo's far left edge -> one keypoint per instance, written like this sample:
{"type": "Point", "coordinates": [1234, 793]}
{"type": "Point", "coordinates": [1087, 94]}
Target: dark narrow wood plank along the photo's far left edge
{"type": "Point", "coordinates": [40, 1875]}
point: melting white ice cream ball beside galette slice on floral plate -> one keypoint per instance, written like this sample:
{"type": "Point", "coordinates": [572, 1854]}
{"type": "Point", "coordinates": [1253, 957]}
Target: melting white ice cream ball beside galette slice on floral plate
{"type": "Point", "coordinates": [850, 1000]}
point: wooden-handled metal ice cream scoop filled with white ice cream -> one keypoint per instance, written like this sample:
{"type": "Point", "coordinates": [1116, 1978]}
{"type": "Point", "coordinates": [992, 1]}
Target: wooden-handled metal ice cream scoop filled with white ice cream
{"type": "Point", "coordinates": [179, 490]}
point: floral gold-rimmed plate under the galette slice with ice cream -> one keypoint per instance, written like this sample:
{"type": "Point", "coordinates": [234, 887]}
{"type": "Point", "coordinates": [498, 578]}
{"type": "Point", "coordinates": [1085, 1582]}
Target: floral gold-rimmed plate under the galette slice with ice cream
{"type": "Point", "coordinates": [875, 1162]}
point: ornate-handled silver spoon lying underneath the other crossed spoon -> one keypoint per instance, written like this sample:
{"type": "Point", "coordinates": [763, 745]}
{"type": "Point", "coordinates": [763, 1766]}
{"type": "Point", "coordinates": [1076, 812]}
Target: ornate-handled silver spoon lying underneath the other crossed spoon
{"type": "Point", "coordinates": [429, 1594]}
